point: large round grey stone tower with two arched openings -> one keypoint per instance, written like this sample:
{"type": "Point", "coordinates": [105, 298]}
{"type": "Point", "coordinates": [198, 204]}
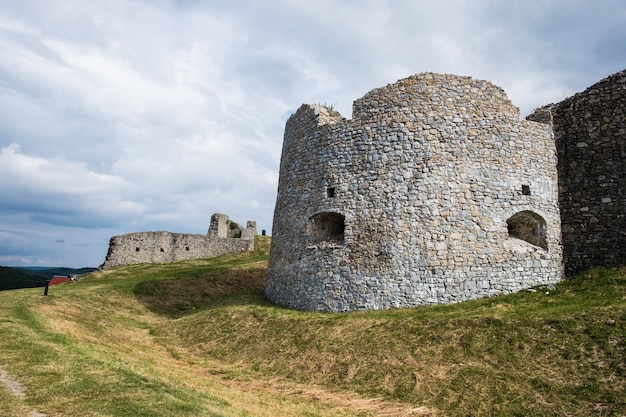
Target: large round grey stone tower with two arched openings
{"type": "Point", "coordinates": [435, 192]}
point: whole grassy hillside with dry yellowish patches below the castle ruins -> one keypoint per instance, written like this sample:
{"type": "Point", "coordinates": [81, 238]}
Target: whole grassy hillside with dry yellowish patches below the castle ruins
{"type": "Point", "coordinates": [198, 338]}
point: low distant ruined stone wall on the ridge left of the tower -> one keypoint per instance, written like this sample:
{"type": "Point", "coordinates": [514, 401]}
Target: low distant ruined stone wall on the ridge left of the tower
{"type": "Point", "coordinates": [223, 237]}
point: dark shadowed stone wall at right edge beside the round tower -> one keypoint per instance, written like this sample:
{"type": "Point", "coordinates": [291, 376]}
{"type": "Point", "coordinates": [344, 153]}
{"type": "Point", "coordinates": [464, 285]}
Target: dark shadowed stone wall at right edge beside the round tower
{"type": "Point", "coordinates": [590, 133]}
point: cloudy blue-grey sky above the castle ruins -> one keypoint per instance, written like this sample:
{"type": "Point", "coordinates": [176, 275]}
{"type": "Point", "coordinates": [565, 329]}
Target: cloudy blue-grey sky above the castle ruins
{"type": "Point", "coordinates": [127, 115]}
